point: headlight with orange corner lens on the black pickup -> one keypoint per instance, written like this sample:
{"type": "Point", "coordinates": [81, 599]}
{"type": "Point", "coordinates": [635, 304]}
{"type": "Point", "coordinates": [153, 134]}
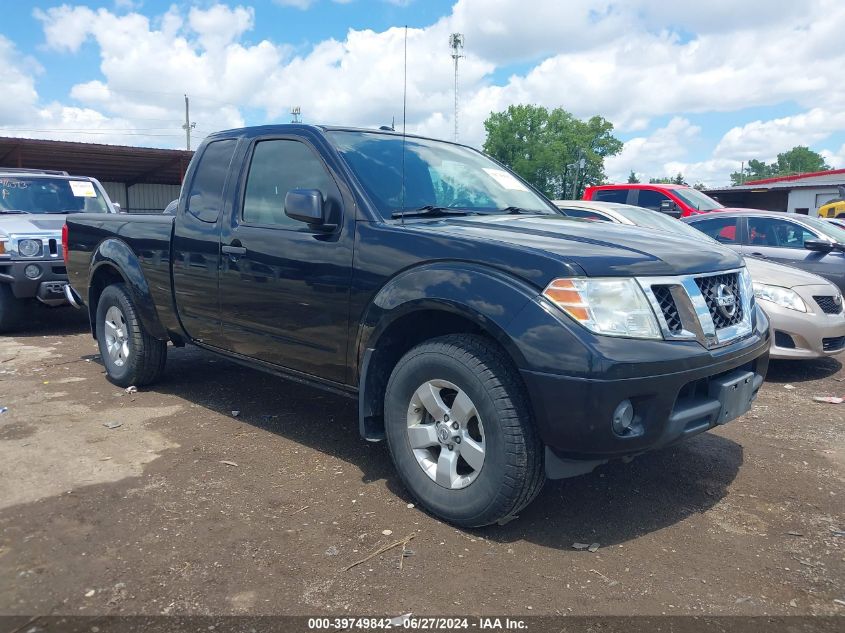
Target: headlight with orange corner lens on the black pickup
{"type": "Point", "coordinates": [615, 307]}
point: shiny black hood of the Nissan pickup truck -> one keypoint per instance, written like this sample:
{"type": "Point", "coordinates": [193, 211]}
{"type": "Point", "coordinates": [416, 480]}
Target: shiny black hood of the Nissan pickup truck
{"type": "Point", "coordinates": [598, 248]}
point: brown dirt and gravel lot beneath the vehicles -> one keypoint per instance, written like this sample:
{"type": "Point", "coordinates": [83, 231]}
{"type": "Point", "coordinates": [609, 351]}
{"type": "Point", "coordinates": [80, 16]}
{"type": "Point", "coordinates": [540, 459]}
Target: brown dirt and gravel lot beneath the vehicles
{"type": "Point", "coordinates": [188, 508]}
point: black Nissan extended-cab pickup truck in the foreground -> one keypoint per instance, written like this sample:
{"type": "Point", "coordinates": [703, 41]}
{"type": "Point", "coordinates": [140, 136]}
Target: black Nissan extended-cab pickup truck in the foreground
{"type": "Point", "coordinates": [490, 340]}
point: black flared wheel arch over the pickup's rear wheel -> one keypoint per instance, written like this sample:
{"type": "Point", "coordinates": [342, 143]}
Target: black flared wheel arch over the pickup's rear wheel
{"type": "Point", "coordinates": [116, 254]}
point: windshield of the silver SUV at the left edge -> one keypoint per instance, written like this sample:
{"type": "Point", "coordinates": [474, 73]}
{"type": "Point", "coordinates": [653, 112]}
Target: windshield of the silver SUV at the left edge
{"type": "Point", "coordinates": [26, 194]}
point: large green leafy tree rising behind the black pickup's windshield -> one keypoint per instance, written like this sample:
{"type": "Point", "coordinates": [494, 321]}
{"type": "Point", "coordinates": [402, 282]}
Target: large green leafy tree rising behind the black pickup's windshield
{"type": "Point", "coordinates": [541, 144]}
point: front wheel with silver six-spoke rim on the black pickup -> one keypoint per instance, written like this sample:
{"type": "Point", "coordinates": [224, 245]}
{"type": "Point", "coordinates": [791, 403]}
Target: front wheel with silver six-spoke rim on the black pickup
{"type": "Point", "coordinates": [460, 432]}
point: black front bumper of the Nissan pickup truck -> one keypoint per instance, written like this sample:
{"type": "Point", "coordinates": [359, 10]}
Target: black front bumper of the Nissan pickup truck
{"type": "Point", "coordinates": [676, 388]}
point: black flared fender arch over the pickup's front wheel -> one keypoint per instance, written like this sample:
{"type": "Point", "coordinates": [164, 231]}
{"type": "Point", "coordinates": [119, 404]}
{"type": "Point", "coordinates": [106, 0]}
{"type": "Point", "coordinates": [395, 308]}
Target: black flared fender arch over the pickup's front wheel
{"type": "Point", "coordinates": [424, 303]}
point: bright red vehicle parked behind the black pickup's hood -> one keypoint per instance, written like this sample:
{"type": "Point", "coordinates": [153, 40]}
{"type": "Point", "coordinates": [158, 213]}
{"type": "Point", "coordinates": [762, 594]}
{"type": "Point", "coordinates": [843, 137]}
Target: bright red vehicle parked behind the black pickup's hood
{"type": "Point", "coordinates": [676, 200]}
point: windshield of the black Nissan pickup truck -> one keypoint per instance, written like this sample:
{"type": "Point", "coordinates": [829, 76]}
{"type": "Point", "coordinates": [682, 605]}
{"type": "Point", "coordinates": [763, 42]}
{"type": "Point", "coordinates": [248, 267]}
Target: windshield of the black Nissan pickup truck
{"type": "Point", "coordinates": [437, 175]}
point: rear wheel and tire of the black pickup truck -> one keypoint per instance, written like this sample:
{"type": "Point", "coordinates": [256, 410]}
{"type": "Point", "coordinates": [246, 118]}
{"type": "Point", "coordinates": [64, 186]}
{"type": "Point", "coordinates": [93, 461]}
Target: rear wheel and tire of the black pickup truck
{"type": "Point", "coordinates": [131, 356]}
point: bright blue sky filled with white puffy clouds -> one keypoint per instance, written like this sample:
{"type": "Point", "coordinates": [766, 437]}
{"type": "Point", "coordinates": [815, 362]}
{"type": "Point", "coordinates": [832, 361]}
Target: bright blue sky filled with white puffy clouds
{"type": "Point", "coordinates": [690, 87]}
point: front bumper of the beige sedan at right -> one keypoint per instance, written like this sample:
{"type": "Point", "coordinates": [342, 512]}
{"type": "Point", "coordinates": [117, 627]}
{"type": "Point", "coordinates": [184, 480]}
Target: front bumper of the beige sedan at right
{"type": "Point", "coordinates": [802, 335]}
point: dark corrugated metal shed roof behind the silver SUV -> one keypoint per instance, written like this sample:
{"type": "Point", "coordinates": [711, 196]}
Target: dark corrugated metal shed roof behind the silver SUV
{"type": "Point", "coordinates": [115, 163]}
